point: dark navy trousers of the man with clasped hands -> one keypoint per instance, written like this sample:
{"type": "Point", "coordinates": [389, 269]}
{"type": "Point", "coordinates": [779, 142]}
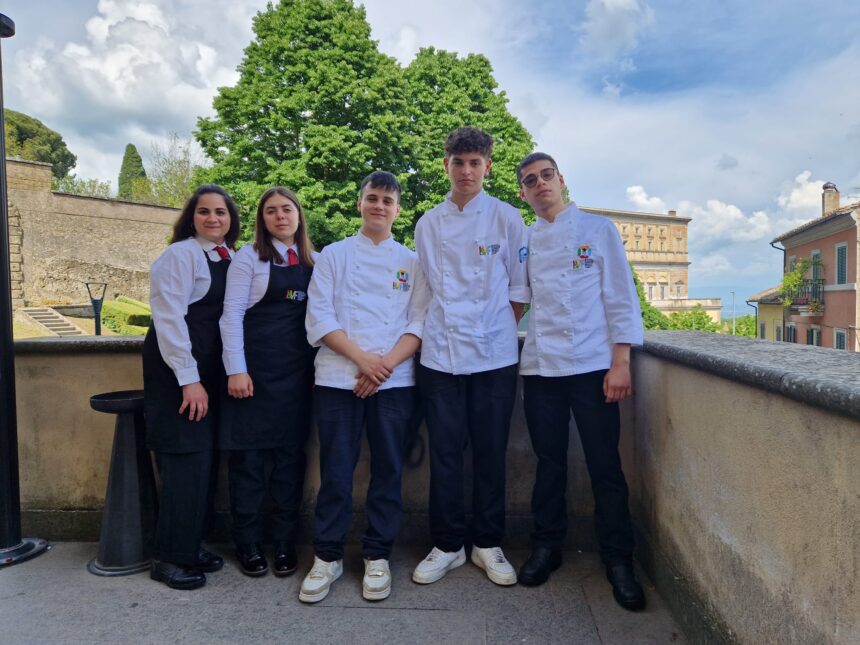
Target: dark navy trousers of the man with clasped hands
{"type": "Point", "coordinates": [341, 416]}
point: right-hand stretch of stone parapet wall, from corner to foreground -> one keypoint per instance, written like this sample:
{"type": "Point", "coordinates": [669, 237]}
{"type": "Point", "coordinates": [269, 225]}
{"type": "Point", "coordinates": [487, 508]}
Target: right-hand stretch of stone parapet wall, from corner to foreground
{"type": "Point", "coordinates": [743, 459]}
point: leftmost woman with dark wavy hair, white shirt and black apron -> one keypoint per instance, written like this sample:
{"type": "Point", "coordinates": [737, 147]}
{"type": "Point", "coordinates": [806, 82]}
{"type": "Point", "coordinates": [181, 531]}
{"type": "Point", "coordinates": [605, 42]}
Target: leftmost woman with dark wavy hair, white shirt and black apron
{"type": "Point", "coordinates": [182, 377]}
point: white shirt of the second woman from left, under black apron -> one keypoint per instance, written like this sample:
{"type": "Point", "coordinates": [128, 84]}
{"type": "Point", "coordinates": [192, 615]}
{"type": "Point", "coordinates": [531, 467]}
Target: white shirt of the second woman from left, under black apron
{"type": "Point", "coordinates": [247, 282]}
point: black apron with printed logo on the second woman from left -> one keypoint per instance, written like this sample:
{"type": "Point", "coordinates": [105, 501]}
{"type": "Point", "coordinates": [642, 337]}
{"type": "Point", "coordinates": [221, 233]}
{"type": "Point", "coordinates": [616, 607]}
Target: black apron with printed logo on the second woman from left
{"type": "Point", "coordinates": [280, 364]}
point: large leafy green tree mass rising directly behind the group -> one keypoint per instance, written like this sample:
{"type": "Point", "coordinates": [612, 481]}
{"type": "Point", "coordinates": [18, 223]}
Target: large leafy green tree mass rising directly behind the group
{"type": "Point", "coordinates": [318, 106]}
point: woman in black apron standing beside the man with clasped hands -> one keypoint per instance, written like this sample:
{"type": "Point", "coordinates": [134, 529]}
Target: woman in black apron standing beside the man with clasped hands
{"type": "Point", "coordinates": [266, 407]}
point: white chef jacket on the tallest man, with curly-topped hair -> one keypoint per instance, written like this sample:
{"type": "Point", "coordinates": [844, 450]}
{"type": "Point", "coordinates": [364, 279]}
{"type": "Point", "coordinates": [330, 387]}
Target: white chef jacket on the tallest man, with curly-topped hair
{"type": "Point", "coordinates": [474, 261]}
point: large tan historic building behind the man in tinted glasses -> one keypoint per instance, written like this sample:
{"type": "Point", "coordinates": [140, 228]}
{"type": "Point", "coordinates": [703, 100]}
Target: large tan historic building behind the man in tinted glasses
{"type": "Point", "coordinates": [656, 246]}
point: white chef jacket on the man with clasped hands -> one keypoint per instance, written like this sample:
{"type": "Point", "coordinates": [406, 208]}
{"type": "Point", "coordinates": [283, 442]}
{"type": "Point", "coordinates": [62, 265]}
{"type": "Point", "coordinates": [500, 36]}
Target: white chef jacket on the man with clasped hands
{"type": "Point", "coordinates": [375, 293]}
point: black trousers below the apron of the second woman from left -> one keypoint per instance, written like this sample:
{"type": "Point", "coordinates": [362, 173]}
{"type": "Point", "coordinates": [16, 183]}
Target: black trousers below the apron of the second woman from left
{"type": "Point", "coordinates": [250, 479]}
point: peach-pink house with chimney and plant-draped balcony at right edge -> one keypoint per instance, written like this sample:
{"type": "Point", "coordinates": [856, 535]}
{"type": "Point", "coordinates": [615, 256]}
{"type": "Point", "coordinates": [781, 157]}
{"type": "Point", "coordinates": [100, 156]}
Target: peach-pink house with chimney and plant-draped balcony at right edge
{"type": "Point", "coordinates": [826, 310]}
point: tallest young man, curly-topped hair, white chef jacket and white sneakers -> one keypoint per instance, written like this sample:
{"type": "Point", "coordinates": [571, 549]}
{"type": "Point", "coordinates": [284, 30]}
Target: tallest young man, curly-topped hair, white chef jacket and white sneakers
{"type": "Point", "coordinates": [473, 249]}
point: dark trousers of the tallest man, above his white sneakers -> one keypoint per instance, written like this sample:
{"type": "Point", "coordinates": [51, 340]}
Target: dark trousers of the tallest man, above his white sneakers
{"type": "Point", "coordinates": [459, 408]}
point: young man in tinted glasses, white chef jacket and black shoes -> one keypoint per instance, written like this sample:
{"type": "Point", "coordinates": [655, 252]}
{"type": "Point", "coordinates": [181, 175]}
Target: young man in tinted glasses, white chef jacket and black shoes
{"type": "Point", "coordinates": [584, 317]}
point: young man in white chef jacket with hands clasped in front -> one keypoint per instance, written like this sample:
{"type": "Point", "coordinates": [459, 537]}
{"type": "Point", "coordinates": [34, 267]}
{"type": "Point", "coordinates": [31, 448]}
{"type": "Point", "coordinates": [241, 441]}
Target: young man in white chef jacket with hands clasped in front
{"type": "Point", "coordinates": [366, 305]}
